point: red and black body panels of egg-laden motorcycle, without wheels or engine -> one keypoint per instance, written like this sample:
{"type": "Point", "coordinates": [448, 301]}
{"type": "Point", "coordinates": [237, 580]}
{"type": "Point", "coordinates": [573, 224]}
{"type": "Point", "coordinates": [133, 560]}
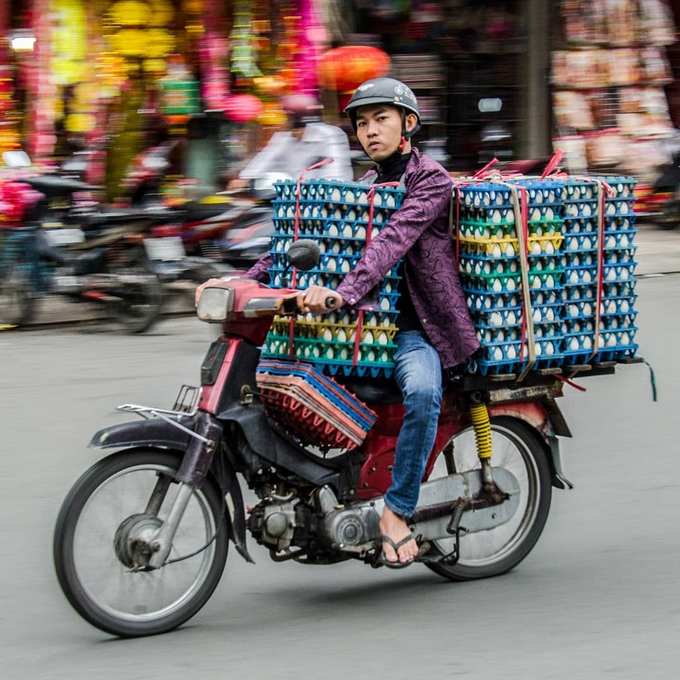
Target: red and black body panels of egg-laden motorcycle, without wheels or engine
{"type": "Point", "coordinates": [230, 433]}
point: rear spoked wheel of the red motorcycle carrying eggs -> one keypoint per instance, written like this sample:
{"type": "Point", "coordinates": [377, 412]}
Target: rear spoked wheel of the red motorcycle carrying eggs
{"type": "Point", "coordinates": [490, 553]}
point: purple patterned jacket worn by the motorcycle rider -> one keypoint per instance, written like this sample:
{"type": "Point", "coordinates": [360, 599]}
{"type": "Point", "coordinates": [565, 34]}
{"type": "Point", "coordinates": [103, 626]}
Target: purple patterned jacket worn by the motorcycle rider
{"type": "Point", "coordinates": [419, 233]}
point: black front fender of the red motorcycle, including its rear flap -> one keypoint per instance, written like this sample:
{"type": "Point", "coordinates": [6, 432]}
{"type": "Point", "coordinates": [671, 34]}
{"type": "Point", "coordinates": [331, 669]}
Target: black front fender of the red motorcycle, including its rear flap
{"type": "Point", "coordinates": [158, 434]}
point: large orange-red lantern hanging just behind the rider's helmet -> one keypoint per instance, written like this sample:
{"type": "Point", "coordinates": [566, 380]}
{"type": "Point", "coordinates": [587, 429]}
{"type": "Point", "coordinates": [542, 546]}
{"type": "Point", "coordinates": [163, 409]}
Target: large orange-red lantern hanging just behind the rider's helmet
{"type": "Point", "coordinates": [345, 68]}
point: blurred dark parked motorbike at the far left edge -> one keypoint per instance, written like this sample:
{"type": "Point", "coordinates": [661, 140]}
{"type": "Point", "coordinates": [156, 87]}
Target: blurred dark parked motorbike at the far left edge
{"type": "Point", "coordinates": [105, 264]}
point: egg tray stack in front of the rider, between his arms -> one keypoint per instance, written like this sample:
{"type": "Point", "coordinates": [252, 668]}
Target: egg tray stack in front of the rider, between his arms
{"type": "Point", "coordinates": [336, 216]}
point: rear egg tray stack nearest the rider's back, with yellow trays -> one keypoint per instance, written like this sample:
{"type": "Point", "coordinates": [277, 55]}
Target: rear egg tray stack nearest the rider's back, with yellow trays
{"type": "Point", "coordinates": [491, 273]}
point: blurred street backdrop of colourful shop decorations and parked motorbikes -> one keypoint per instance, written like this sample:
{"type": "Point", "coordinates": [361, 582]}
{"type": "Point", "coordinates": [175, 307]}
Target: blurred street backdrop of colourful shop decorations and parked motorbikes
{"type": "Point", "coordinates": [176, 116]}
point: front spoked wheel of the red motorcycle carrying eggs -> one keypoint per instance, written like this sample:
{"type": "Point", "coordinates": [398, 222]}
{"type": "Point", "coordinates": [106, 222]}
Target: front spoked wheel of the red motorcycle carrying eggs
{"type": "Point", "coordinates": [103, 533]}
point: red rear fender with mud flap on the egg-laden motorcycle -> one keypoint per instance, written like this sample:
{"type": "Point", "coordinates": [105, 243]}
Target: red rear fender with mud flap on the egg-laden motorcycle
{"type": "Point", "coordinates": [546, 419]}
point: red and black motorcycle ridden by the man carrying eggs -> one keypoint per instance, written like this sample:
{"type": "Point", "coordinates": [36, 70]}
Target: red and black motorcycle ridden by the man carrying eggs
{"type": "Point", "coordinates": [142, 538]}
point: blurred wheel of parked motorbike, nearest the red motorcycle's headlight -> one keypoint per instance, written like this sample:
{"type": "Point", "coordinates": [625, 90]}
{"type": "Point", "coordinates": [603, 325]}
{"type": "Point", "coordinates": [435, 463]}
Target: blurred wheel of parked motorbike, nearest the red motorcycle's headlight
{"type": "Point", "coordinates": [140, 306]}
